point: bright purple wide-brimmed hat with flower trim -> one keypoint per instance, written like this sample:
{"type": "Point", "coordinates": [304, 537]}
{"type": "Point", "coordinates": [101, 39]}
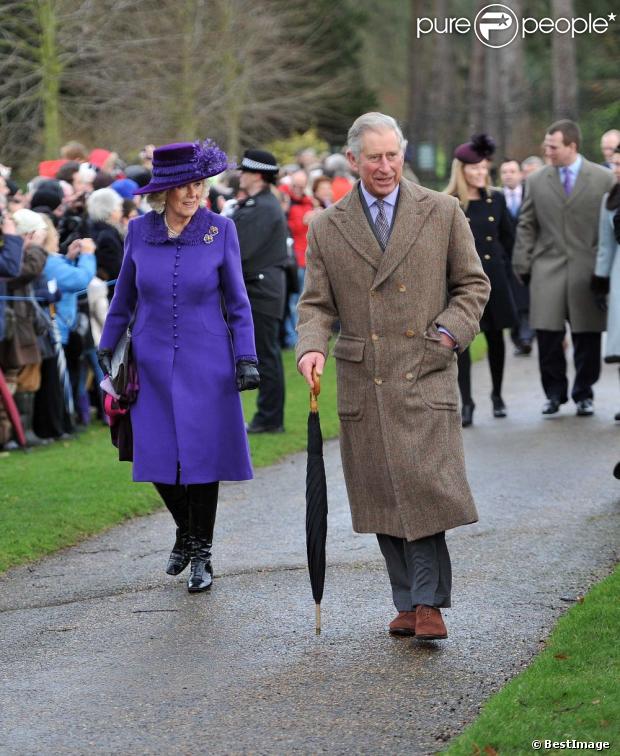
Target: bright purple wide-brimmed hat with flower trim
{"type": "Point", "coordinates": [183, 162]}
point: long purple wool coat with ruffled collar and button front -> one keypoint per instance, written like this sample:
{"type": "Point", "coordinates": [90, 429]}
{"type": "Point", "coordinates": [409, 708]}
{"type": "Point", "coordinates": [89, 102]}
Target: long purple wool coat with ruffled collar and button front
{"type": "Point", "coordinates": [188, 409]}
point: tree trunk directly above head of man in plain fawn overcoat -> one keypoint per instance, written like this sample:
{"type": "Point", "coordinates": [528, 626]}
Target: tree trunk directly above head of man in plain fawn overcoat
{"type": "Point", "coordinates": [564, 61]}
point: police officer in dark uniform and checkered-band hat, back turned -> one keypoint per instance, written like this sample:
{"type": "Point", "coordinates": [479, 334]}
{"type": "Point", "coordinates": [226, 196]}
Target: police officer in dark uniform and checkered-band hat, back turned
{"type": "Point", "coordinates": [261, 226]}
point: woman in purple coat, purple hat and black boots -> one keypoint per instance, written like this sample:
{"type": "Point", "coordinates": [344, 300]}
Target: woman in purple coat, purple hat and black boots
{"type": "Point", "coordinates": [193, 343]}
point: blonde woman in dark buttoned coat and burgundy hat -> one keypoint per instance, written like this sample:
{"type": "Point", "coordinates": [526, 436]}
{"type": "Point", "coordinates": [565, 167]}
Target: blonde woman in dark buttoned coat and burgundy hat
{"type": "Point", "coordinates": [494, 234]}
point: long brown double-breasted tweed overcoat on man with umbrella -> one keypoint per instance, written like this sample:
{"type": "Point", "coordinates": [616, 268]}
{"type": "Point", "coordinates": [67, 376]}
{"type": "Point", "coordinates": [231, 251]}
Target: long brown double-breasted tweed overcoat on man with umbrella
{"type": "Point", "coordinates": [400, 431]}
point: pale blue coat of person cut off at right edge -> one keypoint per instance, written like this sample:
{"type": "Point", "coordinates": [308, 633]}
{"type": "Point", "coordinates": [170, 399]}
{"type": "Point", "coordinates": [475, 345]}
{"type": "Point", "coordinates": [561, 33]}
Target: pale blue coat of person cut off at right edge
{"type": "Point", "coordinates": [608, 266]}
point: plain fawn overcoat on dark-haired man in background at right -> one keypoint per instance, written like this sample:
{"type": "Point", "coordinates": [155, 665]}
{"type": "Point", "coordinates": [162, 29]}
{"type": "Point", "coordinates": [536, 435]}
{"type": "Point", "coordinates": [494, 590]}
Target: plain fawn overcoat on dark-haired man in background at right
{"type": "Point", "coordinates": [556, 244]}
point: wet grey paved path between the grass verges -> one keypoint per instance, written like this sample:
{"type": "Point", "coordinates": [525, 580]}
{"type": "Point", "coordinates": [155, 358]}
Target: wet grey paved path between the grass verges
{"type": "Point", "coordinates": [102, 653]}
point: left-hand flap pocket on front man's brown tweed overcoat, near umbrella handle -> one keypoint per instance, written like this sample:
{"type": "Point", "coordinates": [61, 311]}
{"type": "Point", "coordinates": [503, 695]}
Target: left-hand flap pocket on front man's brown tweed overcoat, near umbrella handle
{"type": "Point", "coordinates": [351, 373]}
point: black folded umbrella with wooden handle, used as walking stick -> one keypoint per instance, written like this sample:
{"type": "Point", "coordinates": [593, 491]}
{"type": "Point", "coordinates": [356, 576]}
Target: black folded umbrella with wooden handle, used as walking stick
{"type": "Point", "coordinates": [316, 503]}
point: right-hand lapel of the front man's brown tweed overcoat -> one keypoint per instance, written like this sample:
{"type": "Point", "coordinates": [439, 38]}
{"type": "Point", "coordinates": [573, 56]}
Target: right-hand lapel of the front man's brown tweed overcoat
{"type": "Point", "coordinates": [414, 206]}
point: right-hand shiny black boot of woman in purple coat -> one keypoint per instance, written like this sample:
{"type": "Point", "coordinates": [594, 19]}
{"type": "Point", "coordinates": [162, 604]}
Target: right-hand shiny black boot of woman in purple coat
{"type": "Point", "coordinates": [202, 510]}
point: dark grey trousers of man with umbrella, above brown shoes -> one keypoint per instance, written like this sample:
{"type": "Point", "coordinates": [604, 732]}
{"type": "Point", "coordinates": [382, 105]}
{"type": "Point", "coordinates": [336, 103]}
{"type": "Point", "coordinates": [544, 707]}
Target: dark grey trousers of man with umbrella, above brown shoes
{"type": "Point", "coordinates": [420, 571]}
